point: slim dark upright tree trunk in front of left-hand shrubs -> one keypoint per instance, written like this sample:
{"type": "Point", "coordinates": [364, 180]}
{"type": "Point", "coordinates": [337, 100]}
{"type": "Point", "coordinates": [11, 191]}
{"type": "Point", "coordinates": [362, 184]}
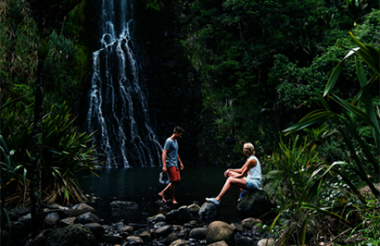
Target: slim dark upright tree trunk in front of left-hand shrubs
{"type": "Point", "coordinates": [35, 185]}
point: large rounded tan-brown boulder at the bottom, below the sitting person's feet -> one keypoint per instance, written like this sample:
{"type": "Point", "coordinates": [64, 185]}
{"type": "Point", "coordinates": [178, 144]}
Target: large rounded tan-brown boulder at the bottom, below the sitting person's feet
{"type": "Point", "coordinates": [219, 231]}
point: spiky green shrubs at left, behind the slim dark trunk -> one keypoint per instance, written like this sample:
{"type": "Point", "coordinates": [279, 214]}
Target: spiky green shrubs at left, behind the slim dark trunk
{"type": "Point", "coordinates": [64, 151]}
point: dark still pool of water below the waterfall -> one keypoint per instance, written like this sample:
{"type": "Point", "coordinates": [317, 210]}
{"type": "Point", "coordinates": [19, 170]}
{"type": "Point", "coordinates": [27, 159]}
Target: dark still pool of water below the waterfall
{"type": "Point", "coordinates": [141, 185]}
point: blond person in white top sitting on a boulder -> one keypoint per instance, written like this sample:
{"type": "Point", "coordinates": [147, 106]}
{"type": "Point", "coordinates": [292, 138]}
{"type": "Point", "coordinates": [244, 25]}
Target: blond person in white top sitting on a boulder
{"type": "Point", "coordinates": [237, 176]}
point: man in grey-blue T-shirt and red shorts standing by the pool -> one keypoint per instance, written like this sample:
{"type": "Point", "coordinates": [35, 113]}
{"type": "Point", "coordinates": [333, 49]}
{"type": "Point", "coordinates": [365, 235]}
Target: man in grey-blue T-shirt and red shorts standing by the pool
{"type": "Point", "coordinates": [170, 159]}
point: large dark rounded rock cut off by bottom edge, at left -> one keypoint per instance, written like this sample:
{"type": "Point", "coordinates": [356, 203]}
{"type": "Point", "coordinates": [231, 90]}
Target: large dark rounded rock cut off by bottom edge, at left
{"type": "Point", "coordinates": [73, 235]}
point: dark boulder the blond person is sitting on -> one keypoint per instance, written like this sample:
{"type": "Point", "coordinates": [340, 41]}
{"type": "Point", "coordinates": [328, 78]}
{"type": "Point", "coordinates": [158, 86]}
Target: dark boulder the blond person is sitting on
{"type": "Point", "coordinates": [255, 203]}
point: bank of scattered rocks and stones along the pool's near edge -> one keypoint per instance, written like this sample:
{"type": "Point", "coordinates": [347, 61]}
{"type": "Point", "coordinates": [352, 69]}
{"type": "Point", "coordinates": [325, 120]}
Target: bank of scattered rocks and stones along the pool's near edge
{"type": "Point", "coordinates": [187, 225]}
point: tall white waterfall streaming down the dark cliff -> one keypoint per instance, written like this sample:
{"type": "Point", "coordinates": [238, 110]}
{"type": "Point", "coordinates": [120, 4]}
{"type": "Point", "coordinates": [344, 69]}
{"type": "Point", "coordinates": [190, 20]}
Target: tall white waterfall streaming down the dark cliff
{"type": "Point", "coordinates": [118, 109]}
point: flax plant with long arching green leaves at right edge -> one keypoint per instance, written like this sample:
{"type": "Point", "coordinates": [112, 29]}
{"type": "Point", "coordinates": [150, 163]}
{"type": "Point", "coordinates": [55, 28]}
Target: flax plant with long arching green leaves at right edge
{"type": "Point", "coordinates": [359, 109]}
